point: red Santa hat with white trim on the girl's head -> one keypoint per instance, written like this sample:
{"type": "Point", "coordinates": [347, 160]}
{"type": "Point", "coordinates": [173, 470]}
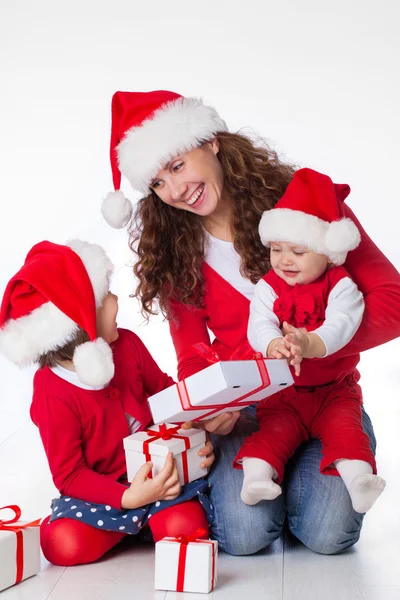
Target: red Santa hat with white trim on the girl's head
{"type": "Point", "coordinates": [58, 290]}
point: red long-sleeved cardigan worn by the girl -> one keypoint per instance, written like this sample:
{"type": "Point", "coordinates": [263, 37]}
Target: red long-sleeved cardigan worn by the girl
{"type": "Point", "coordinates": [82, 430]}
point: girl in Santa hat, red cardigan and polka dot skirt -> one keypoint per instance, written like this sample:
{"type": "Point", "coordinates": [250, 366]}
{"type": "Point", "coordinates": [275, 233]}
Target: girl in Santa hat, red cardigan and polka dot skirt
{"type": "Point", "coordinates": [90, 392]}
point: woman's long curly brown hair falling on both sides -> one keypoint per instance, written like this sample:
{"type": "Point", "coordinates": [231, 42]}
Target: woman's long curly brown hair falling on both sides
{"type": "Point", "coordinates": [169, 243]}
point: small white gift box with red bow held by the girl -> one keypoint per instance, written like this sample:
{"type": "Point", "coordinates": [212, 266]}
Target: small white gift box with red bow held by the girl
{"type": "Point", "coordinates": [154, 443]}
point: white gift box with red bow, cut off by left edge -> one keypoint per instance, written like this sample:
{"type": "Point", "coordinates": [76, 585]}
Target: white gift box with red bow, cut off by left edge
{"type": "Point", "coordinates": [19, 549]}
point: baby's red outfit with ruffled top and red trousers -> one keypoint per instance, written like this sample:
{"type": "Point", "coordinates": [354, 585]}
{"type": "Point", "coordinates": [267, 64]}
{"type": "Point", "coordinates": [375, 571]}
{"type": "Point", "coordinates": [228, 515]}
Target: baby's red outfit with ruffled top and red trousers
{"type": "Point", "coordinates": [329, 411]}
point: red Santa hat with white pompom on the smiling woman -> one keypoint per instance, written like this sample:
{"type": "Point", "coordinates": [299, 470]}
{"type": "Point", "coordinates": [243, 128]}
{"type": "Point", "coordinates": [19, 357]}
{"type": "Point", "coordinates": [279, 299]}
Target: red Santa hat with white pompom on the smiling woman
{"type": "Point", "coordinates": [148, 129]}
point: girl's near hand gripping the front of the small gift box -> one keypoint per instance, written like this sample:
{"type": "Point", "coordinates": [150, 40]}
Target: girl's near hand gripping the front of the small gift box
{"type": "Point", "coordinates": [164, 486]}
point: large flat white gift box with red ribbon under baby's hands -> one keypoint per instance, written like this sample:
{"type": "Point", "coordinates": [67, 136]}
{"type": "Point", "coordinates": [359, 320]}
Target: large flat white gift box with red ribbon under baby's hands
{"type": "Point", "coordinates": [223, 386]}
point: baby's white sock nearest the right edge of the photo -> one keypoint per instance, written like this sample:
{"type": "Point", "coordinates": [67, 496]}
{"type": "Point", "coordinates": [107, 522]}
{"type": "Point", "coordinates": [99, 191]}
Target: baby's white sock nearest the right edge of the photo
{"type": "Point", "coordinates": [364, 487]}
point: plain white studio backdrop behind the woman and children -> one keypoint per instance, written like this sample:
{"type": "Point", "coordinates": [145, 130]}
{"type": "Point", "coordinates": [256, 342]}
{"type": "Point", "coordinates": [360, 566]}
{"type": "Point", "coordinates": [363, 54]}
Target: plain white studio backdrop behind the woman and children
{"type": "Point", "coordinates": [319, 80]}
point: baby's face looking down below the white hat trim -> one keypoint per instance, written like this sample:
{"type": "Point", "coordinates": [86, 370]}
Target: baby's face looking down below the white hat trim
{"type": "Point", "coordinates": [297, 264]}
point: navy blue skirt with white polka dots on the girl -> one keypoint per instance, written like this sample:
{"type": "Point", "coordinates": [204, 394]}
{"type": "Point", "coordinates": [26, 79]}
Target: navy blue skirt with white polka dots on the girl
{"type": "Point", "coordinates": [131, 521]}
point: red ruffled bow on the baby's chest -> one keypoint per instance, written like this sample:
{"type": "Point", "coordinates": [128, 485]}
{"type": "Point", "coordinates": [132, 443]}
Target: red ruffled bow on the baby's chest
{"type": "Point", "coordinates": [298, 309]}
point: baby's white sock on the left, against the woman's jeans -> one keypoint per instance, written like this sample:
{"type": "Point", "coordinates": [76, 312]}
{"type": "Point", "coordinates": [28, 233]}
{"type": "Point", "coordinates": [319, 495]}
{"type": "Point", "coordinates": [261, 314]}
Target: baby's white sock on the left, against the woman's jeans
{"type": "Point", "coordinates": [258, 481]}
